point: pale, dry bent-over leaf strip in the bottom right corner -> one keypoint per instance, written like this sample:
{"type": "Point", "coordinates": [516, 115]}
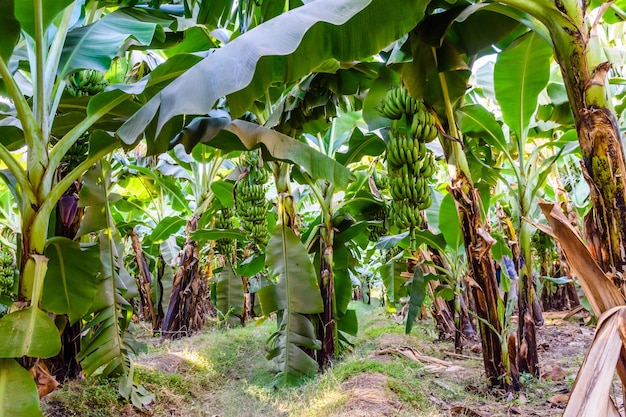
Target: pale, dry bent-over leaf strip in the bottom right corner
{"type": "Point", "coordinates": [591, 392]}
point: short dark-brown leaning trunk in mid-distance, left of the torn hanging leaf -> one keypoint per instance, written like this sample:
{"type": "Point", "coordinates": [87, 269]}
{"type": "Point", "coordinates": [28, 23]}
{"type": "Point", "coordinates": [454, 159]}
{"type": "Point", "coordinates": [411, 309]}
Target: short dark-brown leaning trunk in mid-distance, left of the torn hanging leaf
{"type": "Point", "coordinates": [186, 309]}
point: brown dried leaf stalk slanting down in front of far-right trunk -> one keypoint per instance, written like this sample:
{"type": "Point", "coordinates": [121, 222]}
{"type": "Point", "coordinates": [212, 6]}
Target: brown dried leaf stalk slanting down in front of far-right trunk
{"type": "Point", "coordinates": [598, 288]}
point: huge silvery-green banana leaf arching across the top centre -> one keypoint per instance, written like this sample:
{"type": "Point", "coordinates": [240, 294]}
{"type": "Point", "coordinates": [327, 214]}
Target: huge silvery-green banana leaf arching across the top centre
{"type": "Point", "coordinates": [278, 51]}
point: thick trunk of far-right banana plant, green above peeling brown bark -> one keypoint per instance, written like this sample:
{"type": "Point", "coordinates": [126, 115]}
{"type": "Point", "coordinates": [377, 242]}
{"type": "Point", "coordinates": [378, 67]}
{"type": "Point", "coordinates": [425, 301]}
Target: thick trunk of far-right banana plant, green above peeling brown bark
{"type": "Point", "coordinates": [599, 137]}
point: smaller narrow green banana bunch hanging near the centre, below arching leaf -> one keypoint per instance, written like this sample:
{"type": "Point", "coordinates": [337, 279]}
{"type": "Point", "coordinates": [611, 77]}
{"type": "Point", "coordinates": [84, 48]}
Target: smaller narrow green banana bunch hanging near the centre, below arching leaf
{"type": "Point", "coordinates": [250, 202]}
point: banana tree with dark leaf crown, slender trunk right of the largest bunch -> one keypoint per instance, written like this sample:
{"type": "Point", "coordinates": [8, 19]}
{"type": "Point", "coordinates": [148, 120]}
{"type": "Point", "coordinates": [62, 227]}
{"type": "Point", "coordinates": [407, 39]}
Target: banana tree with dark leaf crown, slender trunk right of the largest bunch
{"type": "Point", "coordinates": [442, 55]}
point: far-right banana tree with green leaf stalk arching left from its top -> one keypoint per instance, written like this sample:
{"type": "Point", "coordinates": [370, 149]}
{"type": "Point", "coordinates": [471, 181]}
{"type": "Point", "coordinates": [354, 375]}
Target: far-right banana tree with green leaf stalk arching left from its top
{"type": "Point", "coordinates": [572, 29]}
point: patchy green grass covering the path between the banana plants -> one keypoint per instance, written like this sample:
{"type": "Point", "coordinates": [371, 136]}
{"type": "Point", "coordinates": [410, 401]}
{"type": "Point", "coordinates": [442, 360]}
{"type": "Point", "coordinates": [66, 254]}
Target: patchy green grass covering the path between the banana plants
{"type": "Point", "coordinates": [224, 372]}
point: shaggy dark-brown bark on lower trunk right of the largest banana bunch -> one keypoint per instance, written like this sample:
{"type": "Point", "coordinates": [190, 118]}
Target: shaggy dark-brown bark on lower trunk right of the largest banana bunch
{"type": "Point", "coordinates": [478, 243]}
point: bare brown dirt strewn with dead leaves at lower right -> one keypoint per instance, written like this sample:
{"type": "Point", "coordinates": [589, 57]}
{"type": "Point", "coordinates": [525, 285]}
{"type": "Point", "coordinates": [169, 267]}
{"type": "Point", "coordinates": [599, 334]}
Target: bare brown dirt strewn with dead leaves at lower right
{"type": "Point", "coordinates": [457, 381]}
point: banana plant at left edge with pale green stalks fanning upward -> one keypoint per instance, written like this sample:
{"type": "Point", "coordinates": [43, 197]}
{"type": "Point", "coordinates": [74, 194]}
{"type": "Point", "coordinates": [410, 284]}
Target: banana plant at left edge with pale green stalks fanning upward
{"type": "Point", "coordinates": [41, 48]}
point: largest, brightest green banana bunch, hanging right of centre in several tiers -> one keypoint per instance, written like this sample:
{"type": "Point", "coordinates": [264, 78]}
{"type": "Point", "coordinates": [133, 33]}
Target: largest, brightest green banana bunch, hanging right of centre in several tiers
{"type": "Point", "coordinates": [410, 163]}
